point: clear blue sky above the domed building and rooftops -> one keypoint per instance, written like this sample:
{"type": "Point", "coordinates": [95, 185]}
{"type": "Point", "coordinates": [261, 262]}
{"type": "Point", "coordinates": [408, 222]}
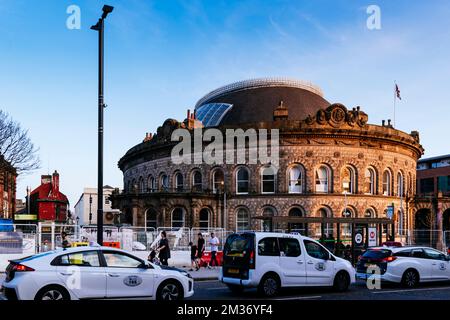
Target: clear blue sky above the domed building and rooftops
{"type": "Point", "coordinates": [163, 55]}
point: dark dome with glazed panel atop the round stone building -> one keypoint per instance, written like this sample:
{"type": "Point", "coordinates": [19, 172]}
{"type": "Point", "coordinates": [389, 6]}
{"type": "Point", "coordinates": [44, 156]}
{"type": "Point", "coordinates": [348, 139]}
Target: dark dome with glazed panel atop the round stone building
{"type": "Point", "coordinates": [255, 100]}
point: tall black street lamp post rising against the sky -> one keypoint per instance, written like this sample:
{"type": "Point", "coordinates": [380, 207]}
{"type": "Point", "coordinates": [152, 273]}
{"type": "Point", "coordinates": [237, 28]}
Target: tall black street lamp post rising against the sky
{"type": "Point", "coordinates": [100, 26]}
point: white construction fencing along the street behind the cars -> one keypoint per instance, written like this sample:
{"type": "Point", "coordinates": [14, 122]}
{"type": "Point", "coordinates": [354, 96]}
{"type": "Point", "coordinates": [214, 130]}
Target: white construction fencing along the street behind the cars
{"type": "Point", "coordinates": [28, 239]}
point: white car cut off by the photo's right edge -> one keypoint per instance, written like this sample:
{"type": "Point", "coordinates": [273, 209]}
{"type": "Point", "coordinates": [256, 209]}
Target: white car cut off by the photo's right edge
{"type": "Point", "coordinates": [406, 265]}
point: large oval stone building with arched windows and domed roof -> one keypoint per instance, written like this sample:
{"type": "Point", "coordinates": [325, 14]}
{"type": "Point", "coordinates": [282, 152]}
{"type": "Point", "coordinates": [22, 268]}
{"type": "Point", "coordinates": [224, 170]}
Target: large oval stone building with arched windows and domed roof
{"type": "Point", "coordinates": [332, 163]}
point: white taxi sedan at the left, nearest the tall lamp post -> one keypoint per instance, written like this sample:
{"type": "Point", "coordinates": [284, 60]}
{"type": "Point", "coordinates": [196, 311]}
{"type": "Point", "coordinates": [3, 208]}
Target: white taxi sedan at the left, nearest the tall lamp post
{"type": "Point", "coordinates": [93, 273]}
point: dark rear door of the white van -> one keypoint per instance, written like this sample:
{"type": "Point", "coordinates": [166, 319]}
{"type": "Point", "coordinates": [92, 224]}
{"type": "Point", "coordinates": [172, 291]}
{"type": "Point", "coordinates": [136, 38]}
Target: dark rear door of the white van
{"type": "Point", "coordinates": [239, 255]}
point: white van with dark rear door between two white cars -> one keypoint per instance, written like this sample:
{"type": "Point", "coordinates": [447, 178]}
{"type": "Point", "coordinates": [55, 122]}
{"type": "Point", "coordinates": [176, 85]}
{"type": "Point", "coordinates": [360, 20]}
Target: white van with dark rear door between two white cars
{"type": "Point", "coordinates": [269, 261]}
